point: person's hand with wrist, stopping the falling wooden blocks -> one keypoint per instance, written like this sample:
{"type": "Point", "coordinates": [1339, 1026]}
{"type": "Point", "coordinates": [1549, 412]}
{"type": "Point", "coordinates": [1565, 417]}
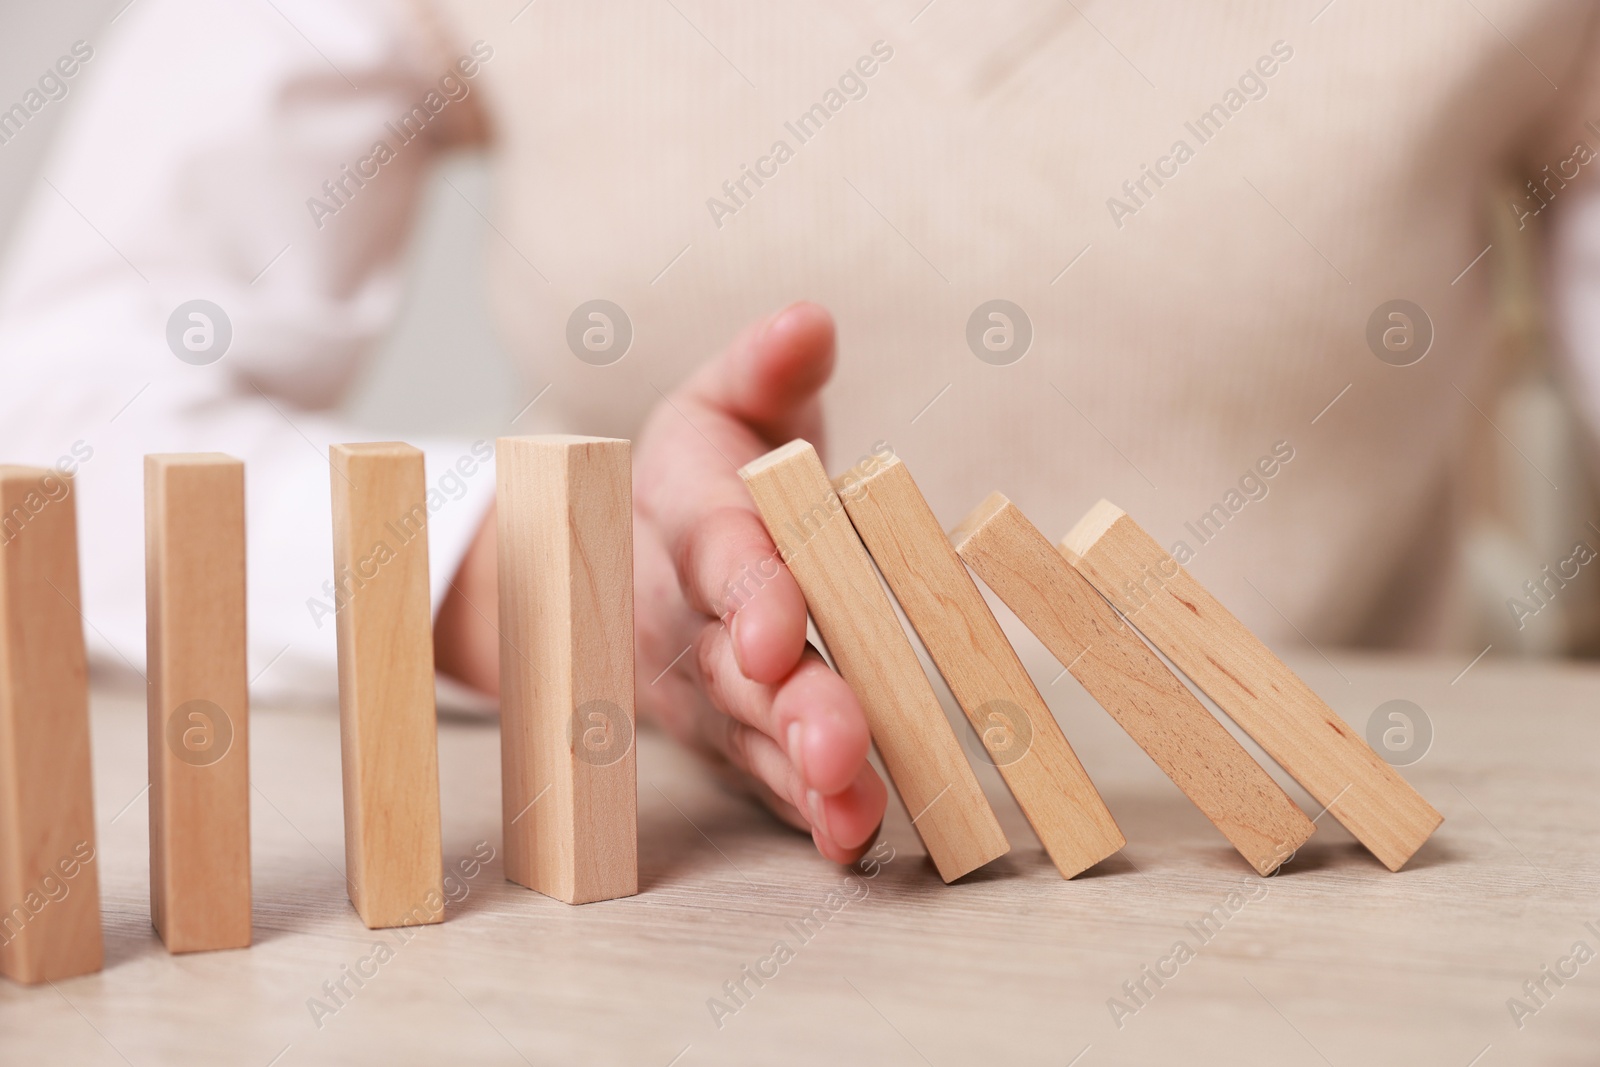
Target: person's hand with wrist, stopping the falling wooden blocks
{"type": "Point", "coordinates": [727, 674]}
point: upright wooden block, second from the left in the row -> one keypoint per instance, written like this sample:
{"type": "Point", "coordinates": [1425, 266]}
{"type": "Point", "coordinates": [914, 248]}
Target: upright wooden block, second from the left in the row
{"type": "Point", "coordinates": [199, 700]}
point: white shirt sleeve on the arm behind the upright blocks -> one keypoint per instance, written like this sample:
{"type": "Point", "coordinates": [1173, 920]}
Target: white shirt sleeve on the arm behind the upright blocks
{"type": "Point", "coordinates": [199, 143]}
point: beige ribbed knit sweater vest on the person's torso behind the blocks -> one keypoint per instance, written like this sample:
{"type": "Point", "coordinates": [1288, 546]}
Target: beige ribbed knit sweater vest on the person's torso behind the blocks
{"type": "Point", "coordinates": [1199, 209]}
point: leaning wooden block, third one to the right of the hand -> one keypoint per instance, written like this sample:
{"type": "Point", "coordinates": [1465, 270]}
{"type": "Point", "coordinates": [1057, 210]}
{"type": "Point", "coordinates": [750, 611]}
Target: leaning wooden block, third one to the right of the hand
{"type": "Point", "coordinates": [1132, 684]}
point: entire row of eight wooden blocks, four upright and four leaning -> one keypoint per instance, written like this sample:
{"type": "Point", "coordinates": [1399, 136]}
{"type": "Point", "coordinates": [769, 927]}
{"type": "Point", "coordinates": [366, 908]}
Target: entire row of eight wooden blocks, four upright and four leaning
{"type": "Point", "coordinates": [567, 685]}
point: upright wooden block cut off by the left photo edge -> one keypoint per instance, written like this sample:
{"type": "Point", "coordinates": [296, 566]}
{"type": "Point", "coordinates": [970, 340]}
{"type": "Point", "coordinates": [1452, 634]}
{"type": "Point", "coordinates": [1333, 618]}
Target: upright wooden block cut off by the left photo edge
{"type": "Point", "coordinates": [47, 804]}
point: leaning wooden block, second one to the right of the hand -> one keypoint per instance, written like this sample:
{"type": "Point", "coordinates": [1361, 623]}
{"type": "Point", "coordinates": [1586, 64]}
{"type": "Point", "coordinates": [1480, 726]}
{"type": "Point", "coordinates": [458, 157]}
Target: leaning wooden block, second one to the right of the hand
{"type": "Point", "coordinates": [980, 665]}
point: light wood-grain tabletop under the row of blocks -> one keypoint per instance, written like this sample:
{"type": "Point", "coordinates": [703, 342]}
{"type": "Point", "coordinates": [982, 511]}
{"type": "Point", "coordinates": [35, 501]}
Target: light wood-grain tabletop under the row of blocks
{"type": "Point", "coordinates": [1334, 962]}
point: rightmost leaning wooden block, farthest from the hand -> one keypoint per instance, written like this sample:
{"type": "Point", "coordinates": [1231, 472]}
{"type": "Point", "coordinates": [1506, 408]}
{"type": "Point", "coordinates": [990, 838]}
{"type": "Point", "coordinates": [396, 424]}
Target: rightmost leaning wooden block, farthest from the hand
{"type": "Point", "coordinates": [1250, 684]}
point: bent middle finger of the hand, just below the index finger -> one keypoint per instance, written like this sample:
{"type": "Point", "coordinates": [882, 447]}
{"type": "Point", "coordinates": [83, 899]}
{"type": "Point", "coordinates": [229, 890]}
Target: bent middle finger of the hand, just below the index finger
{"type": "Point", "coordinates": [812, 716]}
